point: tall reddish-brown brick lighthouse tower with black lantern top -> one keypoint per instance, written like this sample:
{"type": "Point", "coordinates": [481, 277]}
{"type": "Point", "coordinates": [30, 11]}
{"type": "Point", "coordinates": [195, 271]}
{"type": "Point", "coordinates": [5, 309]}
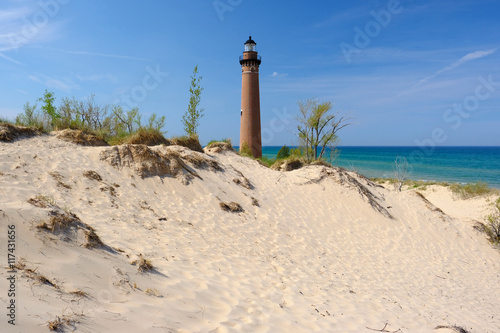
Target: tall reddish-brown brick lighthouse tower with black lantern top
{"type": "Point", "coordinates": [250, 134]}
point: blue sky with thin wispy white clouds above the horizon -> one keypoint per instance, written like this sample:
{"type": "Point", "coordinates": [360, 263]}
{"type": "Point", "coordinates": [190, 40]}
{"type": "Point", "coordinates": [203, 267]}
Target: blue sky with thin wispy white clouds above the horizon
{"type": "Point", "coordinates": [407, 72]}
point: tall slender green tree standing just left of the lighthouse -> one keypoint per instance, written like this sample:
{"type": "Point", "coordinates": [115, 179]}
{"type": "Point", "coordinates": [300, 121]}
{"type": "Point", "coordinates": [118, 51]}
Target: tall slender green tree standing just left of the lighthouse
{"type": "Point", "coordinates": [191, 119]}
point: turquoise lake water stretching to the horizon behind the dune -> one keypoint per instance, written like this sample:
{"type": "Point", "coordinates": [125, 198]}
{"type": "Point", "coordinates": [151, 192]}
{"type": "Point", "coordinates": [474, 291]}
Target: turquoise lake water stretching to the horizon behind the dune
{"type": "Point", "coordinates": [451, 164]}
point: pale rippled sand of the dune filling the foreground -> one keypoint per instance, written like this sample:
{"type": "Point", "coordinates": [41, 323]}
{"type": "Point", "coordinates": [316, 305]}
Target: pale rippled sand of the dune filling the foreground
{"type": "Point", "coordinates": [314, 257]}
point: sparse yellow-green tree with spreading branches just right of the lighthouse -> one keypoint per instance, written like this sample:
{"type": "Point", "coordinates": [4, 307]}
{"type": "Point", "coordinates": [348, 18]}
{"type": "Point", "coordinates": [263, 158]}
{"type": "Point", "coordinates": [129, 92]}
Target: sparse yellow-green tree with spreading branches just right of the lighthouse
{"type": "Point", "coordinates": [318, 128]}
